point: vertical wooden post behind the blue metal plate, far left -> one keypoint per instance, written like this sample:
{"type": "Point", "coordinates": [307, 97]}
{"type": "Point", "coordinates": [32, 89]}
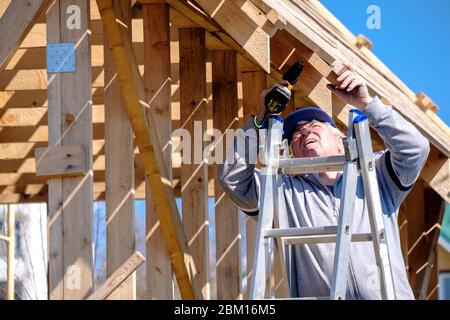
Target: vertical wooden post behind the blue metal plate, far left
{"type": "Point", "coordinates": [70, 122]}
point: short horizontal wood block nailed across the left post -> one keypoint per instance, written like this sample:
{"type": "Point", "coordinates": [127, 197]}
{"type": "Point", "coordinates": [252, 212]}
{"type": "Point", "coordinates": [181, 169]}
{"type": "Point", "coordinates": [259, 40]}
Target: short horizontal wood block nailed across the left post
{"type": "Point", "coordinates": [61, 161]}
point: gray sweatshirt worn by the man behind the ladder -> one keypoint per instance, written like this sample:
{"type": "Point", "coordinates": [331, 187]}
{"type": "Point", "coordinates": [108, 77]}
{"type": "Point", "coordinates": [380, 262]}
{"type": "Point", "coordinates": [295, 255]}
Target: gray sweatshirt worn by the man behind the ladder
{"type": "Point", "coordinates": [310, 203]}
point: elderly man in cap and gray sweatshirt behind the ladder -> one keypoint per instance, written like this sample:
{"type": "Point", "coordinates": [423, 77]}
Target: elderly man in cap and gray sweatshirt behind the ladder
{"type": "Point", "coordinates": [313, 200]}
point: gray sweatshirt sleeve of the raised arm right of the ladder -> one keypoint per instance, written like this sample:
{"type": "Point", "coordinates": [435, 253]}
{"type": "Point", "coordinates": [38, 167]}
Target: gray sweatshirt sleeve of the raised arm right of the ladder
{"type": "Point", "coordinates": [407, 150]}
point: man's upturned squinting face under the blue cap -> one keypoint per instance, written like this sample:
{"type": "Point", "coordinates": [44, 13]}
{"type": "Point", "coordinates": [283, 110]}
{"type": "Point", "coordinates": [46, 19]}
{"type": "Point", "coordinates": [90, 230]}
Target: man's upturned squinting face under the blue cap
{"type": "Point", "coordinates": [315, 139]}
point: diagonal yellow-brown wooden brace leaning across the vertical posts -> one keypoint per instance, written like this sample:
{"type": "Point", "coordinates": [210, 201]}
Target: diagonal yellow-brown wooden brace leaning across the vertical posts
{"type": "Point", "coordinates": [145, 130]}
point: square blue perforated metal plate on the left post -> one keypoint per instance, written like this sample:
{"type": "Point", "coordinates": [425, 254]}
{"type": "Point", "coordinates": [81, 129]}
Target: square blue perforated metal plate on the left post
{"type": "Point", "coordinates": [61, 57]}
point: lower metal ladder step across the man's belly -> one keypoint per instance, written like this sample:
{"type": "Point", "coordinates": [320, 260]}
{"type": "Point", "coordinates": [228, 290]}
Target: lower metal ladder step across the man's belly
{"type": "Point", "coordinates": [327, 234]}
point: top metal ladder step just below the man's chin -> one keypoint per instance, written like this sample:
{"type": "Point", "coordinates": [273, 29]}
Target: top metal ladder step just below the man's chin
{"type": "Point", "coordinates": [310, 164]}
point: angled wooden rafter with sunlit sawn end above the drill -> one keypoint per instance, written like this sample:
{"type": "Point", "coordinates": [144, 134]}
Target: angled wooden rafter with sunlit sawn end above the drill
{"type": "Point", "coordinates": [240, 27]}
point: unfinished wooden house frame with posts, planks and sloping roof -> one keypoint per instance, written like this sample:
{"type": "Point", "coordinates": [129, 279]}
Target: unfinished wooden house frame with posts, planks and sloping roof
{"type": "Point", "coordinates": [145, 68]}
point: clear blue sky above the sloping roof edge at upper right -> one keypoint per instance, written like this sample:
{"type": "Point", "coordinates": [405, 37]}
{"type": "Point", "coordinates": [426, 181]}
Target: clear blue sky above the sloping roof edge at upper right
{"type": "Point", "coordinates": [413, 41]}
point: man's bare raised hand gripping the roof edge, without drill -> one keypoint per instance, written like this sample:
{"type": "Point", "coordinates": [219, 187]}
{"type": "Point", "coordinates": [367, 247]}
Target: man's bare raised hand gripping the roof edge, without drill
{"type": "Point", "coordinates": [351, 88]}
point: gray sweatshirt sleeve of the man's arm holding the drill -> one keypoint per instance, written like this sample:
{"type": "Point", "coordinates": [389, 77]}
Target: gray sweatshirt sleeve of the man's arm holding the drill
{"type": "Point", "coordinates": [238, 175]}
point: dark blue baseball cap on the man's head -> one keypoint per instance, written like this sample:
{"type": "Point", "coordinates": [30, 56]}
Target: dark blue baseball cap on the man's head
{"type": "Point", "coordinates": [304, 115]}
